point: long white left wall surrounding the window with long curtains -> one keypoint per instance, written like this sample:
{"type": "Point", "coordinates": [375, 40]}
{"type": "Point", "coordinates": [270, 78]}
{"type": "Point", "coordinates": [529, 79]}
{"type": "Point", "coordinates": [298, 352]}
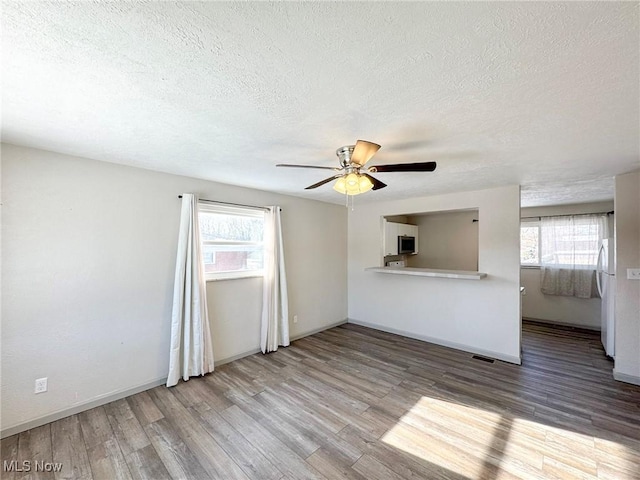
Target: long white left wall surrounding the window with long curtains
{"type": "Point", "coordinates": [88, 258]}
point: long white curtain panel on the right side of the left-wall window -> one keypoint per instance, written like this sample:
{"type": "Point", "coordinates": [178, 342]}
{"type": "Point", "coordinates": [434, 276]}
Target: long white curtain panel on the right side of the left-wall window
{"type": "Point", "coordinates": [275, 310]}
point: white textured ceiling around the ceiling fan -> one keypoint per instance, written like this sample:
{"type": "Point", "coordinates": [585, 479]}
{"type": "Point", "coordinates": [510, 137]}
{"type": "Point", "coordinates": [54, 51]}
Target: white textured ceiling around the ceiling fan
{"type": "Point", "coordinates": [543, 94]}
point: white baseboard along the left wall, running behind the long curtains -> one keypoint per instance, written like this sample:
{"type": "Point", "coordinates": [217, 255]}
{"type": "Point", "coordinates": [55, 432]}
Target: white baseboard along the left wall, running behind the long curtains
{"type": "Point", "coordinates": [112, 397]}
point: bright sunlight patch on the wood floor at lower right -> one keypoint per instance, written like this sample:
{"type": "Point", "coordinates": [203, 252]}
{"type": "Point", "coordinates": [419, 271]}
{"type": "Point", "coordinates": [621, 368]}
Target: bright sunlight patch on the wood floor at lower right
{"type": "Point", "coordinates": [477, 443]}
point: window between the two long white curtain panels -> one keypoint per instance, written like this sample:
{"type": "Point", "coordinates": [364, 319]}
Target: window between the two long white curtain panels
{"type": "Point", "coordinates": [232, 241]}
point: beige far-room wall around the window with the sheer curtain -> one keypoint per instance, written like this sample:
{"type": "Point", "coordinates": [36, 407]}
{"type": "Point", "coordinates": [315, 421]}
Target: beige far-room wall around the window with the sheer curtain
{"type": "Point", "coordinates": [580, 312]}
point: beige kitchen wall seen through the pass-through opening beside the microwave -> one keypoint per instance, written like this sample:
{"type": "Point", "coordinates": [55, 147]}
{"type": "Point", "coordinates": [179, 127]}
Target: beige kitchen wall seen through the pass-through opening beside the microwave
{"type": "Point", "coordinates": [446, 241]}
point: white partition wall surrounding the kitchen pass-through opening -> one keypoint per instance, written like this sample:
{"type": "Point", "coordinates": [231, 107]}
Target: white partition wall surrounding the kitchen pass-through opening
{"type": "Point", "coordinates": [481, 316]}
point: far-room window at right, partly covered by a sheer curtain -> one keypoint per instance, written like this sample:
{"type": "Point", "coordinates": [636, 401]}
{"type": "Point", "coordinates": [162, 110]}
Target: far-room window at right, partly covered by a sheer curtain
{"type": "Point", "coordinates": [570, 241]}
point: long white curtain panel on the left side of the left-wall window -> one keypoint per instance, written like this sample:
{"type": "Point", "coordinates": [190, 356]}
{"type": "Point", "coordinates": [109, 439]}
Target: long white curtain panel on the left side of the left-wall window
{"type": "Point", "coordinates": [191, 348]}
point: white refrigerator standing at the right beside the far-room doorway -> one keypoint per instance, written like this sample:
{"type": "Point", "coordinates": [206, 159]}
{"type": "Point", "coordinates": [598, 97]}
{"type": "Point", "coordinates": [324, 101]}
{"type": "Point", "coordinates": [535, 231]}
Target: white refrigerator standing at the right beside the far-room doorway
{"type": "Point", "coordinates": [606, 280]}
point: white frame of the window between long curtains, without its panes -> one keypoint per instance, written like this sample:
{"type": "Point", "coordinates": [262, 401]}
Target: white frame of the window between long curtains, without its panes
{"type": "Point", "coordinates": [239, 211]}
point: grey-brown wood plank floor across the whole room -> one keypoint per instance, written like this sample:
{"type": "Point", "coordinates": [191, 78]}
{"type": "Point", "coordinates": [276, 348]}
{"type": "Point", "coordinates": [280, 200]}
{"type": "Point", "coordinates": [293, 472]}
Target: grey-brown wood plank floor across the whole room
{"type": "Point", "coordinates": [356, 403]}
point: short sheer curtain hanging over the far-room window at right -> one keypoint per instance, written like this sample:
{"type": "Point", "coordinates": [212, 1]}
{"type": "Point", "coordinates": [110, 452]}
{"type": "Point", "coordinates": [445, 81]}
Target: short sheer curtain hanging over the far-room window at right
{"type": "Point", "coordinates": [569, 252]}
